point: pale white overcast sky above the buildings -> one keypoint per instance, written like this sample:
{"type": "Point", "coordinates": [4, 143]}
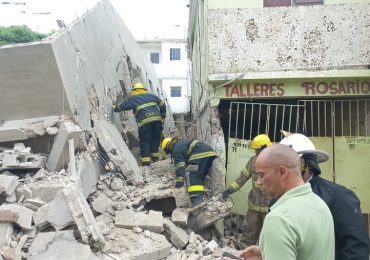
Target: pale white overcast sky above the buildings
{"type": "Point", "coordinates": [145, 18]}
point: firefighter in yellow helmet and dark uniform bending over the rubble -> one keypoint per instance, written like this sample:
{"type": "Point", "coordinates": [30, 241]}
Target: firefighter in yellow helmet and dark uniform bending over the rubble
{"type": "Point", "coordinates": [184, 153]}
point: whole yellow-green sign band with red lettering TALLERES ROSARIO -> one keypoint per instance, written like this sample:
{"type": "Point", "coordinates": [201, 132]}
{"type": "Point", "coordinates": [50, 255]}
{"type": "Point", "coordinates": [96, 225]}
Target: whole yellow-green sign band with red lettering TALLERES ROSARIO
{"type": "Point", "coordinates": [295, 88]}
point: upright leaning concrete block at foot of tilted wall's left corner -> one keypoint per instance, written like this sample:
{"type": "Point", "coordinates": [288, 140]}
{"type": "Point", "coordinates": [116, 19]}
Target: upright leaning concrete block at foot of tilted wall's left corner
{"type": "Point", "coordinates": [59, 156]}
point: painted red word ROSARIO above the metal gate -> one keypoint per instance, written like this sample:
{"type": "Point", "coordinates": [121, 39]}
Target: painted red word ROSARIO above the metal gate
{"type": "Point", "coordinates": [336, 87]}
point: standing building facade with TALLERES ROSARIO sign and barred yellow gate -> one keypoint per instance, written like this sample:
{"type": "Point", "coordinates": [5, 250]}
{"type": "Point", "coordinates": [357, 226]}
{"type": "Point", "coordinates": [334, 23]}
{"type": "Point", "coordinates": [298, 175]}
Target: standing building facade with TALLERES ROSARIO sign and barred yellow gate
{"type": "Point", "coordinates": [297, 65]}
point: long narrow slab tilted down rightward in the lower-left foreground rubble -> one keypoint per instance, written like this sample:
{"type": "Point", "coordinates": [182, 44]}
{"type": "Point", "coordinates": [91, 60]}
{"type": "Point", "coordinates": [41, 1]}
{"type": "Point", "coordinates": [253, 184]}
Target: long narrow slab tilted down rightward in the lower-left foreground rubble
{"type": "Point", "coordinates": [83, 217]}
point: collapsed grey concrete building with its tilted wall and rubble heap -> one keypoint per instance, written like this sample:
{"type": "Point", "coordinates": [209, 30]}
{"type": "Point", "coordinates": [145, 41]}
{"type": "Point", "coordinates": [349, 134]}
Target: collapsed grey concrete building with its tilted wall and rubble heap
{"type": "Point", "coordinates": [70, 184]}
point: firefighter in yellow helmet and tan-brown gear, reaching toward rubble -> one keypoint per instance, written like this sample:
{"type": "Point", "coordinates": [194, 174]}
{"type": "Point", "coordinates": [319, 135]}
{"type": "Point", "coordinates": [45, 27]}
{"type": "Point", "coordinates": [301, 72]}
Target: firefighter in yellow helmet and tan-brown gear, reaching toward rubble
{"type": "Point", "coordinates": [257, 202]}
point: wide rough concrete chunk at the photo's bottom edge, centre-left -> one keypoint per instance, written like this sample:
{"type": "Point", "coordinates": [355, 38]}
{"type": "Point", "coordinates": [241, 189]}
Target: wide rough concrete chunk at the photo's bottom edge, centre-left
{"type": "Point", "coordinates": [133, 246]}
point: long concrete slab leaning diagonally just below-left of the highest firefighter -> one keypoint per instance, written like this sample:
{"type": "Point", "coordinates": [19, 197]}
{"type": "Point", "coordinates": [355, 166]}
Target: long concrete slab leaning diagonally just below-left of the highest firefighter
{"type": "Point", "coordinates": [117, 150]}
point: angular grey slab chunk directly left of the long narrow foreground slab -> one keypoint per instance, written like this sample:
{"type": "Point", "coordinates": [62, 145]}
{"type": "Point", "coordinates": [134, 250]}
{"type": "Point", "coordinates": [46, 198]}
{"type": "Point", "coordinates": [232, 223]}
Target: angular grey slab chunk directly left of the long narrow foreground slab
{"type": "Point", "coordinates": [56, 213]}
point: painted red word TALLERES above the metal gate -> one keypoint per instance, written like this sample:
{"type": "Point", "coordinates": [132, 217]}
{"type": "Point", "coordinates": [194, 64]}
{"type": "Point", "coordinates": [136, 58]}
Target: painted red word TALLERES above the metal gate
{"type": "Point", "coordinates": [256, 89]}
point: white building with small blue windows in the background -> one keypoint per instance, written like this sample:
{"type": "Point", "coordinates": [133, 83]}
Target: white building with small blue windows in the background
{"type": "Point", "coordinates": [169, 58]}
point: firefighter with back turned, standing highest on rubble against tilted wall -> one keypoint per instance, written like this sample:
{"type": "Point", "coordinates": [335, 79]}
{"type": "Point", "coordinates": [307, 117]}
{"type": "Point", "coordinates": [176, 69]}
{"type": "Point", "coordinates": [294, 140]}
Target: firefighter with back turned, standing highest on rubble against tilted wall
{"type": "Point", "coordinates": [150, 113]}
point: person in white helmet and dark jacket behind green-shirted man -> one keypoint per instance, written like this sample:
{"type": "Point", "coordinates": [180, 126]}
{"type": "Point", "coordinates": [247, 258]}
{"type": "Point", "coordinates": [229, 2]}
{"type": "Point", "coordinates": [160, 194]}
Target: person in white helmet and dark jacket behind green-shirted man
{"type": "Point", "coordinates": [351, 237]}
